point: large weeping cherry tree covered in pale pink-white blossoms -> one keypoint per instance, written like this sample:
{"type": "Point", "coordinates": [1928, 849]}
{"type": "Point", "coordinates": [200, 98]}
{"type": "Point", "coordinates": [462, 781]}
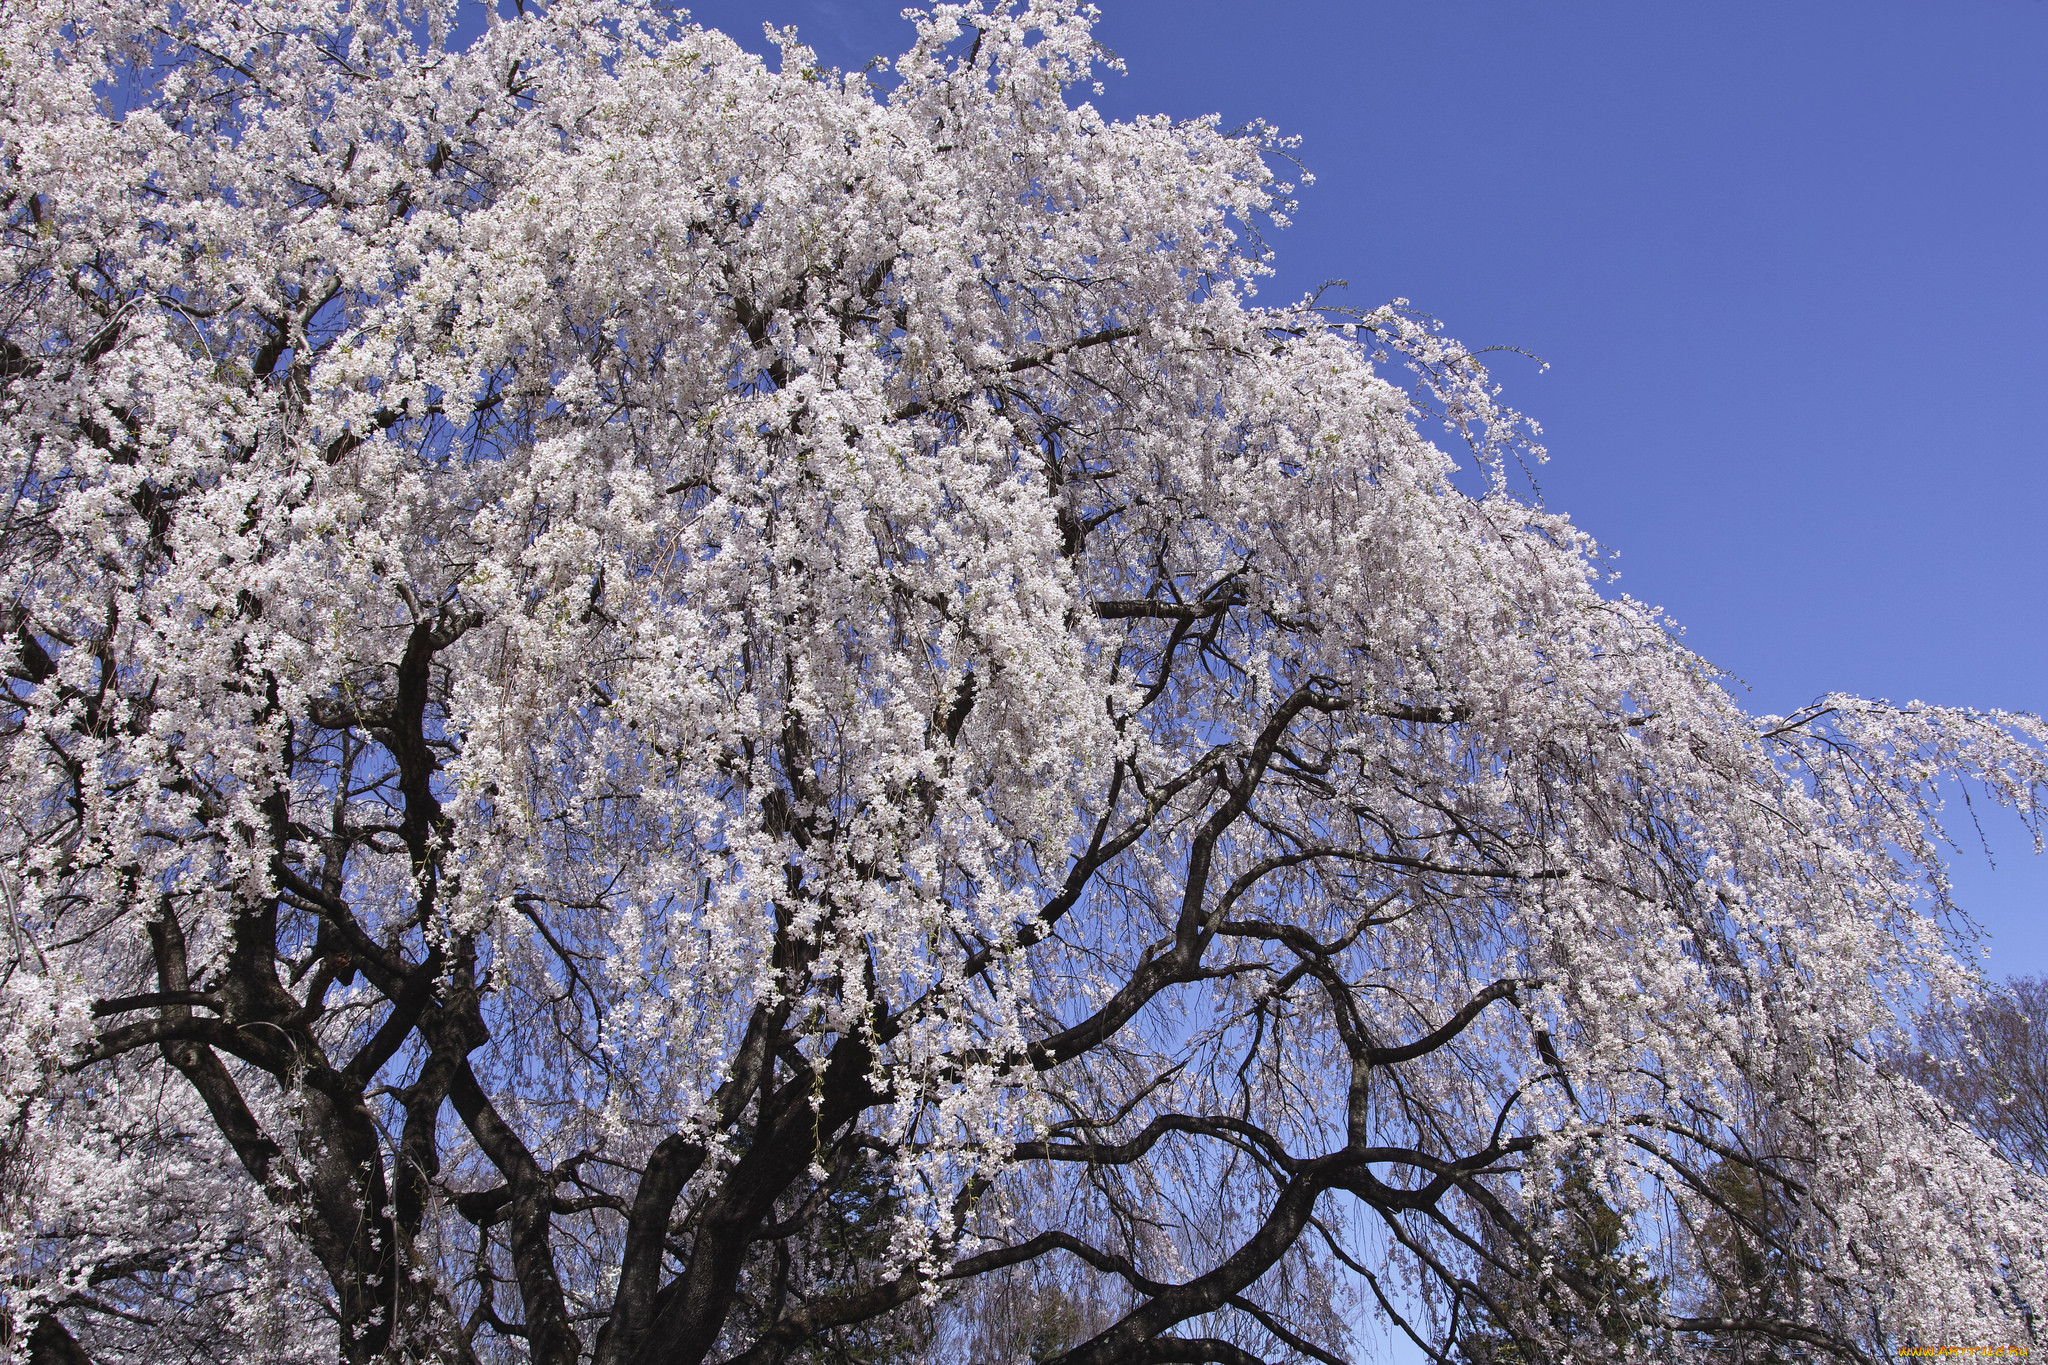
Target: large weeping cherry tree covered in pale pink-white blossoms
{"type": "Point", "coordinates": [679, 713]}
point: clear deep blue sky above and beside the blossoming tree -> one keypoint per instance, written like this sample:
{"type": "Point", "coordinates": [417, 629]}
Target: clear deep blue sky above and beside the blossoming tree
{"type": "Point", "coordinates": [1787, 263]}
